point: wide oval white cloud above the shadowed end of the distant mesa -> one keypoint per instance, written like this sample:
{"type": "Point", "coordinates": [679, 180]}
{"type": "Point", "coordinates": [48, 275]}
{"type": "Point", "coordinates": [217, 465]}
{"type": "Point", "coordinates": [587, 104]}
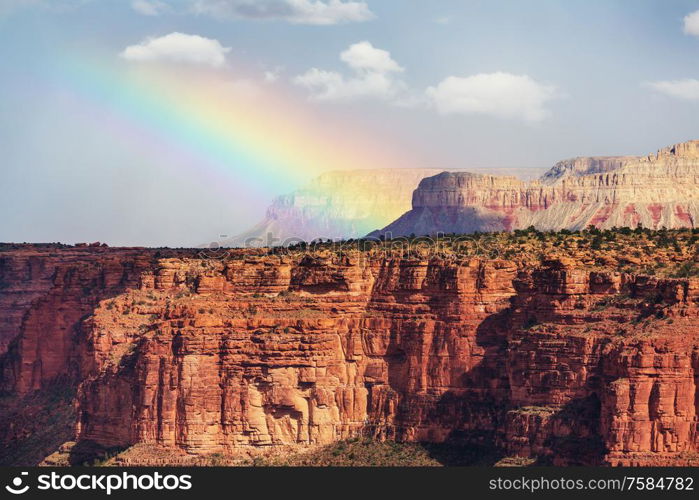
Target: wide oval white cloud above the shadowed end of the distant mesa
{"type": "Point", "coordinates": [500, 94]}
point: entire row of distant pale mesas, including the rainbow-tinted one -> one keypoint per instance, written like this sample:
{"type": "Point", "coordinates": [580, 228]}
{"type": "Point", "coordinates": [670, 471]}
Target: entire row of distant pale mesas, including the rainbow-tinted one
{"type": "Point", "coordinates": [657, 190]}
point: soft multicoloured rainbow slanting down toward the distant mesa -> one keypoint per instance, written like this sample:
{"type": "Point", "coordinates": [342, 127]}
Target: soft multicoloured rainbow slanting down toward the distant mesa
{"type": "Point", "coordinates": [259, 137]}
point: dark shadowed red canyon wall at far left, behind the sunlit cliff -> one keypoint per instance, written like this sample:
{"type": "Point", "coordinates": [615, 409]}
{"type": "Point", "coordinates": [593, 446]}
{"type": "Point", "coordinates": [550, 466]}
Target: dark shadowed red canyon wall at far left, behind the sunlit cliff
{"type": "Point", "coordinates": [44, 293]}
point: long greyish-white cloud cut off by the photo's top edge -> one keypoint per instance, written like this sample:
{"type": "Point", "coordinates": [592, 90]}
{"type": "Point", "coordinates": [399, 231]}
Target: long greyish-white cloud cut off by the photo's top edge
{"type": "Point", "coordinates": [317, 12]}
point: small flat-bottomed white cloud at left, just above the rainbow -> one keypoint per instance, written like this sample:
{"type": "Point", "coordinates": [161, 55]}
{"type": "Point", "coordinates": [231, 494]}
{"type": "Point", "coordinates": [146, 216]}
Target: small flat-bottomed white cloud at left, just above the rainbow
{"type": "Point", "coordinates": [178, 47]}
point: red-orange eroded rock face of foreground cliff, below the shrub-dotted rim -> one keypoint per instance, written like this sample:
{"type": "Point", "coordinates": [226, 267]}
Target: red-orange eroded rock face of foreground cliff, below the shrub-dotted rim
{"type": "Point", "coordinates": [257, 352]}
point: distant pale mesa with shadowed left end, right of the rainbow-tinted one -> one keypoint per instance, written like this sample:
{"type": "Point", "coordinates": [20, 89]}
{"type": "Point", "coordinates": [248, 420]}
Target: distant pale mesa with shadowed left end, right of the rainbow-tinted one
{"type": "Point", "coordinates": [660, 190]}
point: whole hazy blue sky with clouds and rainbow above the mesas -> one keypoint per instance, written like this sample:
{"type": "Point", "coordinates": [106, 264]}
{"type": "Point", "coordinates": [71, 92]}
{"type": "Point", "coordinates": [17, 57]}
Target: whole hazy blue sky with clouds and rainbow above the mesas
{"type": "Point", "coordinates": [153, 122]}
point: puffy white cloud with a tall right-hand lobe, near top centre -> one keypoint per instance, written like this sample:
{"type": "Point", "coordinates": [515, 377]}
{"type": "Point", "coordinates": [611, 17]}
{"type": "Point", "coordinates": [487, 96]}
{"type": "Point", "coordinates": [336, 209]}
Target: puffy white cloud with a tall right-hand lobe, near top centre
{"type": "Point", "coordinates": [373, 76]}
